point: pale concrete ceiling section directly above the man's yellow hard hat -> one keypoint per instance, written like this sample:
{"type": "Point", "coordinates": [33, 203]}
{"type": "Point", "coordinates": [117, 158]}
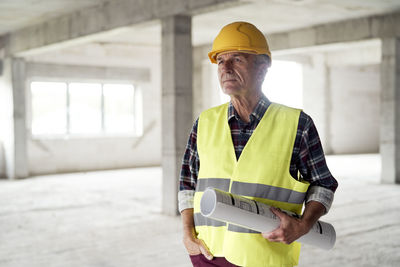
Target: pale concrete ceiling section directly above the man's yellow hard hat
{"type": "Point", "coordinates": [272, 16]}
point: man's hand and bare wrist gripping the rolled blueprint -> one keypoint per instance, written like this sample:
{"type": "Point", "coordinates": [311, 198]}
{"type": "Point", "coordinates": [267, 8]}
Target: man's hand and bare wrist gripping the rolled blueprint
{"type": "Point", "coordinates": [291, 228]}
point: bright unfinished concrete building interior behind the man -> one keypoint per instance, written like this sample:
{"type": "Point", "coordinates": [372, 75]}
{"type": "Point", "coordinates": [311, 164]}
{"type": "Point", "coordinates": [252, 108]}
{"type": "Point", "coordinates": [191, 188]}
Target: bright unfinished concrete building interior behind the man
{"type": "Point", "coordinates": [97, 98]}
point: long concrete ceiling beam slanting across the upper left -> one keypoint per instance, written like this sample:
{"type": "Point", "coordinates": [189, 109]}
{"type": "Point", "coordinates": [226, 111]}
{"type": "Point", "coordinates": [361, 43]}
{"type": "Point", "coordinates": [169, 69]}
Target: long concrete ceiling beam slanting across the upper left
{"type": "Point", "coordinates": [83, 25]}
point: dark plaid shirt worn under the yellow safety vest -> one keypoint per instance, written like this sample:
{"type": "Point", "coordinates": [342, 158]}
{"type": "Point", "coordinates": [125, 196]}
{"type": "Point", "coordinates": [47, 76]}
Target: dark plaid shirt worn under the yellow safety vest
{"type": "Point", "coordinates": [307, 157]}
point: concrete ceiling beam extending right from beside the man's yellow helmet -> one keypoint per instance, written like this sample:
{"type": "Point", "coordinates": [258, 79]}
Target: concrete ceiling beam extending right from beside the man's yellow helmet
{"type": "Point", "coordinates": [353, 30]}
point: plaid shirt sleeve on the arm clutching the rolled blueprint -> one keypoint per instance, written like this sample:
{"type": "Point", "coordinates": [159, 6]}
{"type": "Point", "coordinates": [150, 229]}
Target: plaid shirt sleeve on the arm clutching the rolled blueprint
{"type": "Point", "coordinates": [309, 159]}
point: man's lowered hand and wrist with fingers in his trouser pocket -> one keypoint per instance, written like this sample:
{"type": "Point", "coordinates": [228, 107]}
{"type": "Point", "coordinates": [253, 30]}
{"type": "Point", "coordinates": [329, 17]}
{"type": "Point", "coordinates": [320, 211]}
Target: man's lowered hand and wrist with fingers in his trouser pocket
{"type": "Point", "coordinates": [193, 245]}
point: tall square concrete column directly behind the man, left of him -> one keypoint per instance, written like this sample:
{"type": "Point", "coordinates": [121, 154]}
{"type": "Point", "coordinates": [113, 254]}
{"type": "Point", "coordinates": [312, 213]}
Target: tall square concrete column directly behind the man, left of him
{"type": "Point", "coordinates": [176, 103]}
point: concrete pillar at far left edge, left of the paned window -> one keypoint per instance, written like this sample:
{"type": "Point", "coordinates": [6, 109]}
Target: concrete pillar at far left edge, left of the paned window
{"type": "Point", "coordinates": [13, 118]}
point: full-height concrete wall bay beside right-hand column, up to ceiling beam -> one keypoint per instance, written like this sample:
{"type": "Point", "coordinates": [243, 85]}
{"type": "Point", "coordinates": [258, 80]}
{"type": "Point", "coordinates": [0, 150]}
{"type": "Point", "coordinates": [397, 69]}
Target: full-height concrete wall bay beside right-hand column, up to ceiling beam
{"type": "Point", "coordinates": [354, 87]}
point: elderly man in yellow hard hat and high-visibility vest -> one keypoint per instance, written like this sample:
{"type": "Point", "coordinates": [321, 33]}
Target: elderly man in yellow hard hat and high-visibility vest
{"type": "Point", "coordinates": [258, 149]}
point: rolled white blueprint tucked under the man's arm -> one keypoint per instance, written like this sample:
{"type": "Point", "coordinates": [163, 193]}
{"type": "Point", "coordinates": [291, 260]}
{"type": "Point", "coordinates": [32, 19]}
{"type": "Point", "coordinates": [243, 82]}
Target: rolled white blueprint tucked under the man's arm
{"type": "Point", "coordinates": [223, 206]}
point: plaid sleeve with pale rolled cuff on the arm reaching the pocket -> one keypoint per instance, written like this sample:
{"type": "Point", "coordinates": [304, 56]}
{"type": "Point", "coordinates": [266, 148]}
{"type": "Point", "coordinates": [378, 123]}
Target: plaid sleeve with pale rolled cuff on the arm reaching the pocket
{"type": "Point", "coordinates": [189, 171]}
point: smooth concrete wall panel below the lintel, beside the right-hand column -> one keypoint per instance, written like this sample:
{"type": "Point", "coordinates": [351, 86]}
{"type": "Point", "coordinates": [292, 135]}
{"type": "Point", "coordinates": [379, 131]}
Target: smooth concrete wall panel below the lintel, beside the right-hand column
{"type": "Point", "coordinates": [355, 92]}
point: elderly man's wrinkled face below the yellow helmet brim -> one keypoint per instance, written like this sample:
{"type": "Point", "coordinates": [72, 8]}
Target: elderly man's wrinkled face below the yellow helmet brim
{"type": "Point", "coordinates": [238, 73]}
